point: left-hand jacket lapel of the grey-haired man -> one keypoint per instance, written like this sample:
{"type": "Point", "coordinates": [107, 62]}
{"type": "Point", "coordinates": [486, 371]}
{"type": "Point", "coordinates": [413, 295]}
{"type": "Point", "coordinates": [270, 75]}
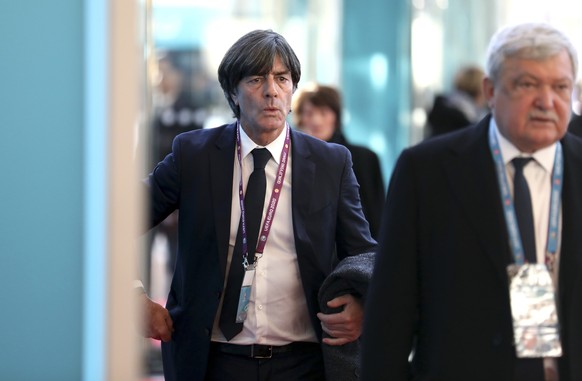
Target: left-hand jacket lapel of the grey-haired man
{"type": "Point", "coordinates": [471, 175]}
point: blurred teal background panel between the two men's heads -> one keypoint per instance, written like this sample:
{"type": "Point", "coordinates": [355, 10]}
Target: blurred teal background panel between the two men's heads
{"type": "Point", "coordinates": [376, 76]}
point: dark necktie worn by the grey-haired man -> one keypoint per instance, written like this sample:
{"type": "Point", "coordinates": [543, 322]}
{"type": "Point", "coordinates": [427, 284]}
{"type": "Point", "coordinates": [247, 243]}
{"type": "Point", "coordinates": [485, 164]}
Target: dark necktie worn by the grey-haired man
{"type": "Point", "coordinates": [523, 209]}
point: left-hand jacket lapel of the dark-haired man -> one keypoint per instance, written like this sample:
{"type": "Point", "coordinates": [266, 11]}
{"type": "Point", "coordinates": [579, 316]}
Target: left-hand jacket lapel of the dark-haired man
{"type": "Point", "coordinates": [221, 177]}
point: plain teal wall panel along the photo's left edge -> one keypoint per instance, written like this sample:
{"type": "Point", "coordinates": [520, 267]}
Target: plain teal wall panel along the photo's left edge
{"type": "Point", "coordinates": [41, 190]}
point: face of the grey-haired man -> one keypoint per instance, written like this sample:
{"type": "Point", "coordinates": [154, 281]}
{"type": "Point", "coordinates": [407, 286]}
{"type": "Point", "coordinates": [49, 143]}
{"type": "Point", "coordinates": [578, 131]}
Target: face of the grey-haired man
{"type": "Point", "coordinates": [531, 100]}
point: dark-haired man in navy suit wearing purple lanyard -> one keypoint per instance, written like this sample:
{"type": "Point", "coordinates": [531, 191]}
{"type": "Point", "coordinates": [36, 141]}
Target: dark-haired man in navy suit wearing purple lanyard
{"type": "Point", "coordinates": [311, 212]}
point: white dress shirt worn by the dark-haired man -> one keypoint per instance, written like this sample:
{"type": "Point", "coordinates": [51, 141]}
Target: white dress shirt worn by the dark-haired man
{"type": "Point", "coordinates": [278, 312]}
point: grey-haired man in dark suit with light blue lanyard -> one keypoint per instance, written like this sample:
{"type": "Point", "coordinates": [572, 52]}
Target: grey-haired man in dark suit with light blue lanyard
{"type": "Point", "coordinates": [439, 305]}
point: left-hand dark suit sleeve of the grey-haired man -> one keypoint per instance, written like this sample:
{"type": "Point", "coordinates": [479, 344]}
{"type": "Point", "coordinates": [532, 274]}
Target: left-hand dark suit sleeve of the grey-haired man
{"type": "Point", "coordinates": [391, 307]}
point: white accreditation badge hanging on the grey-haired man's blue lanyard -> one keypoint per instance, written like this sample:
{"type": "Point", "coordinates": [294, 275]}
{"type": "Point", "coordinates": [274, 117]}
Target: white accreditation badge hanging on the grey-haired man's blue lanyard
{"type": "Point", "coordinates": [533, 308]}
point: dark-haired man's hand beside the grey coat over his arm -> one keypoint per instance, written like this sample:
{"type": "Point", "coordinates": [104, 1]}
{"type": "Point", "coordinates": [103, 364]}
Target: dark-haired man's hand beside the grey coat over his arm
{"type": "Point", "coordinates": [345, 326]}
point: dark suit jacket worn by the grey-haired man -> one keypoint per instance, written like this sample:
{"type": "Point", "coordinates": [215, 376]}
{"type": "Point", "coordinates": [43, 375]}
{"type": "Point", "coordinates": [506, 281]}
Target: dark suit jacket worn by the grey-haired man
{"type": "Point", "coordinates": [440, 282]}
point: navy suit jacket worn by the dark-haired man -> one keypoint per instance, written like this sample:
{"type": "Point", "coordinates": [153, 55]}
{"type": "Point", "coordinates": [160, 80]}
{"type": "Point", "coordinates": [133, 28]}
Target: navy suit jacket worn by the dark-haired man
{"type": "Point", "coordinates": [197, 179]}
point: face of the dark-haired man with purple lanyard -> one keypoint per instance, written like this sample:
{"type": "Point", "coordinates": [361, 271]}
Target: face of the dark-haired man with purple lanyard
{"type": "Point", "coordinates": [265, 101]}
